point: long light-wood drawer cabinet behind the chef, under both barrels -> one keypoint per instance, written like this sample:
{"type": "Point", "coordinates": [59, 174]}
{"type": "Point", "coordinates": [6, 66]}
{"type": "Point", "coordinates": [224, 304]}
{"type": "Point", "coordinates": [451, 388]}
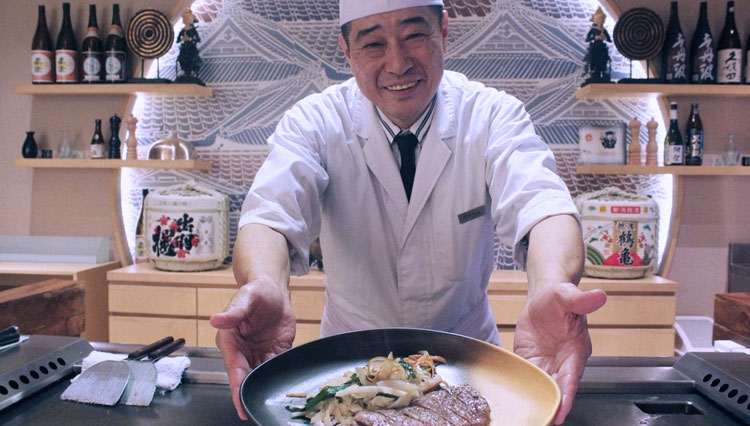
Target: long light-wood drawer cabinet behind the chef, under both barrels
{"type": "Point", "coordinates": [146, 304]}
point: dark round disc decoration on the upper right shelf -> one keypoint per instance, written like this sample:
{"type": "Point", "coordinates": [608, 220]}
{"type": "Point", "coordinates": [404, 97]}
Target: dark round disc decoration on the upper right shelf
{"type": "Point", "coordinates": [639, 34]}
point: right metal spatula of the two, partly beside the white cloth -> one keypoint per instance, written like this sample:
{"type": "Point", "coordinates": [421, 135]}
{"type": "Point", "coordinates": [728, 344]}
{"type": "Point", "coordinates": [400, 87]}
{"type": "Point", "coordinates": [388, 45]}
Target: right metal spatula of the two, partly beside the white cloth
{"type": "Point", "coordinates": [142, 385]}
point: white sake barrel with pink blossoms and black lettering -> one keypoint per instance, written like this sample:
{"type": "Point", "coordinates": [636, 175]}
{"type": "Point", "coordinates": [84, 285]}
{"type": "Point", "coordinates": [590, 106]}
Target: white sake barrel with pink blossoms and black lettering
{"type": "Point", "coordinates": [186, 227]}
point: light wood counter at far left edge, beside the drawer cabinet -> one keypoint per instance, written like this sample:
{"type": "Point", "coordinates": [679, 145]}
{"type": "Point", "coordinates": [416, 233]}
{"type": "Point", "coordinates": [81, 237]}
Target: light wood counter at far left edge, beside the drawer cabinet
{"type": "Point", "coordinates": [91, 276]}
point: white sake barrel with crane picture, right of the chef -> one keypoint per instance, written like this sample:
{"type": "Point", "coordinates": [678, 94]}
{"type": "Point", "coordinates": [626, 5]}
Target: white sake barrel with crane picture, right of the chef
{"type": "Point", "coordinates": [619, 232]}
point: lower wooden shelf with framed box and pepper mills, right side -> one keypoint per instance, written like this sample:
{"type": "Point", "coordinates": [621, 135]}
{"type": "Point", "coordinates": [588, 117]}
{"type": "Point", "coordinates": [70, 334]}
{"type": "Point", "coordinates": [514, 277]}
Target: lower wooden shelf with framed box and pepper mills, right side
{"type": "Point", "coordinates": [607, 169]}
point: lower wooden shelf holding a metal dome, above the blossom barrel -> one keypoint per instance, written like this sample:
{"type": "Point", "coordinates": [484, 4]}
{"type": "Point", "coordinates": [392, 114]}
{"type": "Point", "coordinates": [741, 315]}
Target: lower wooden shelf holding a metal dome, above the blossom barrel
{"type": "Point", "coordinates": [57, 163]}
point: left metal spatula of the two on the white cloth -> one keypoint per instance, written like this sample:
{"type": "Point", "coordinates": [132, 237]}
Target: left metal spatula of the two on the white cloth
{"type": "Point", "coordinates": [105, 382]}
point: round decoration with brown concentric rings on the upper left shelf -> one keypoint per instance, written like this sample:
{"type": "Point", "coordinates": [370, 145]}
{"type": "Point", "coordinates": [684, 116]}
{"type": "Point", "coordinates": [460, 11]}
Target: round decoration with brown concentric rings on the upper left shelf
{"type": "Point", "coordinates": [150, 34]}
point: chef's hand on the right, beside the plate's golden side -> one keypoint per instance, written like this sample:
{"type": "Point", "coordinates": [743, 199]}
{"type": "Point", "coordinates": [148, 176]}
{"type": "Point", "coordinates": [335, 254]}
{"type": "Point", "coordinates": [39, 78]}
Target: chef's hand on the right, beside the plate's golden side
{"type": "Point", "coordinates": [552, 333]}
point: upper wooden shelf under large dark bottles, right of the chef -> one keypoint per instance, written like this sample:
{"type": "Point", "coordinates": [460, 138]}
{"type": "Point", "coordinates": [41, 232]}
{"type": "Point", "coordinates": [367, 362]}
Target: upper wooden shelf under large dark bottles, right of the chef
{"type": "Point", "coordinates": [613, 90]}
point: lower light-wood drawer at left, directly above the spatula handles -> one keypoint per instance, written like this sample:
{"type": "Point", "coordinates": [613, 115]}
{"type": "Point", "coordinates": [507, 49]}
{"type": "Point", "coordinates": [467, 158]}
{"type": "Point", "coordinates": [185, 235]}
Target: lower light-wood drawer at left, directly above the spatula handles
{"type": "Point", "coordinates": [145, 330]}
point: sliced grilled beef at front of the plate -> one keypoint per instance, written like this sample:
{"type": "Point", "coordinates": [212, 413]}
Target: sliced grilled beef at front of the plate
{"type": "Point", "coordinates": [451, 405]}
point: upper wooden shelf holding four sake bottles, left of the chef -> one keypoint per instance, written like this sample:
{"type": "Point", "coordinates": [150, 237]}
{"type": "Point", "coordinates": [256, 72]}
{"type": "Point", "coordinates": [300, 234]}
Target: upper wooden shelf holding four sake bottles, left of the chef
{"type": "Point", "coordinates": [170, 89]}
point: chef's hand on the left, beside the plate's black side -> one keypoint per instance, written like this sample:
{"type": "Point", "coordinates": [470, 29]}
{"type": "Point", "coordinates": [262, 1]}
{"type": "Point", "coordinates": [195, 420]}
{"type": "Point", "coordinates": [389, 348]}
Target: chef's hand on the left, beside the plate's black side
{"type": "Point", "coordinates": [258, 324]}
